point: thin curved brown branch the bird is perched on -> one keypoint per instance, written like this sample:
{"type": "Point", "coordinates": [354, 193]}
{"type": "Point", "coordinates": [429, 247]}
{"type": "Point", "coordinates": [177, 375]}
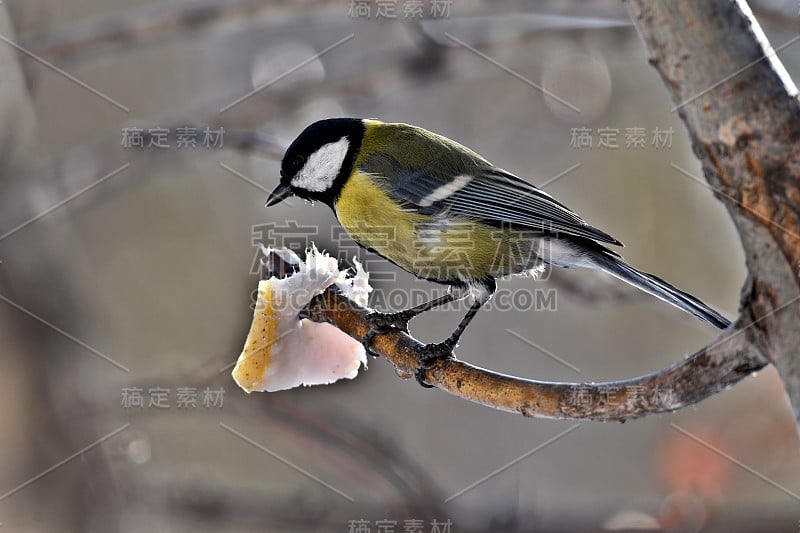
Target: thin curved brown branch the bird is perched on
{"type": "Point", "coordinates": [723, 363]}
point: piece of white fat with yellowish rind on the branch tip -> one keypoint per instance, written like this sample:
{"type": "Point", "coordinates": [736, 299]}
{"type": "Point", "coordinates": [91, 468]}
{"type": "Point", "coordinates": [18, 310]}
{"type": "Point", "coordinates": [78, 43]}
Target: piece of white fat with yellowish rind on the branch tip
{"type": "Point", "coordinates": [282, 352]}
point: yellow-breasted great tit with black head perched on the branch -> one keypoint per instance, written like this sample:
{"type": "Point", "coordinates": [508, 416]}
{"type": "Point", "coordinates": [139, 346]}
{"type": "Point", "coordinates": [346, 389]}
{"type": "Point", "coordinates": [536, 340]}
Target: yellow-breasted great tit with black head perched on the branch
{"type": "Point", "coordinates": [444, 213]}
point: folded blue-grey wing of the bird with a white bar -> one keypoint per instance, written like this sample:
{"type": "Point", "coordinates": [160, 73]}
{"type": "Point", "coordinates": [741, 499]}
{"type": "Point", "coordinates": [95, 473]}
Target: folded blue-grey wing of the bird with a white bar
{"type": "Point", "coordinates": [495, 195]}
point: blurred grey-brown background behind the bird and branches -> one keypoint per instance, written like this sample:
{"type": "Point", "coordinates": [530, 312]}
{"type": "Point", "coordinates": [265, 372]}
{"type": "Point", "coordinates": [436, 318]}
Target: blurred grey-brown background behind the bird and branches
{"type": "Point", "coordinates": [138, 141]}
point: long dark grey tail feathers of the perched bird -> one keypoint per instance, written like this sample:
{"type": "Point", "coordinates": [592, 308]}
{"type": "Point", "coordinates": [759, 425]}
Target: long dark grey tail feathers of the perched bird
{"type": "Point", "coordinates": [659, 288]}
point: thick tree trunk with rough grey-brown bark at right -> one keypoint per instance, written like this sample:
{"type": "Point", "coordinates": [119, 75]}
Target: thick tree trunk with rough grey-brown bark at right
{"type": "Point", "coordinates": [742, 114]}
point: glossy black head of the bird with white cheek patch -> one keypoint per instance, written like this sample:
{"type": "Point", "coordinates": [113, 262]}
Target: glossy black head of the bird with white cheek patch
{"type": "Point", "coordinates": [318, 162]}
